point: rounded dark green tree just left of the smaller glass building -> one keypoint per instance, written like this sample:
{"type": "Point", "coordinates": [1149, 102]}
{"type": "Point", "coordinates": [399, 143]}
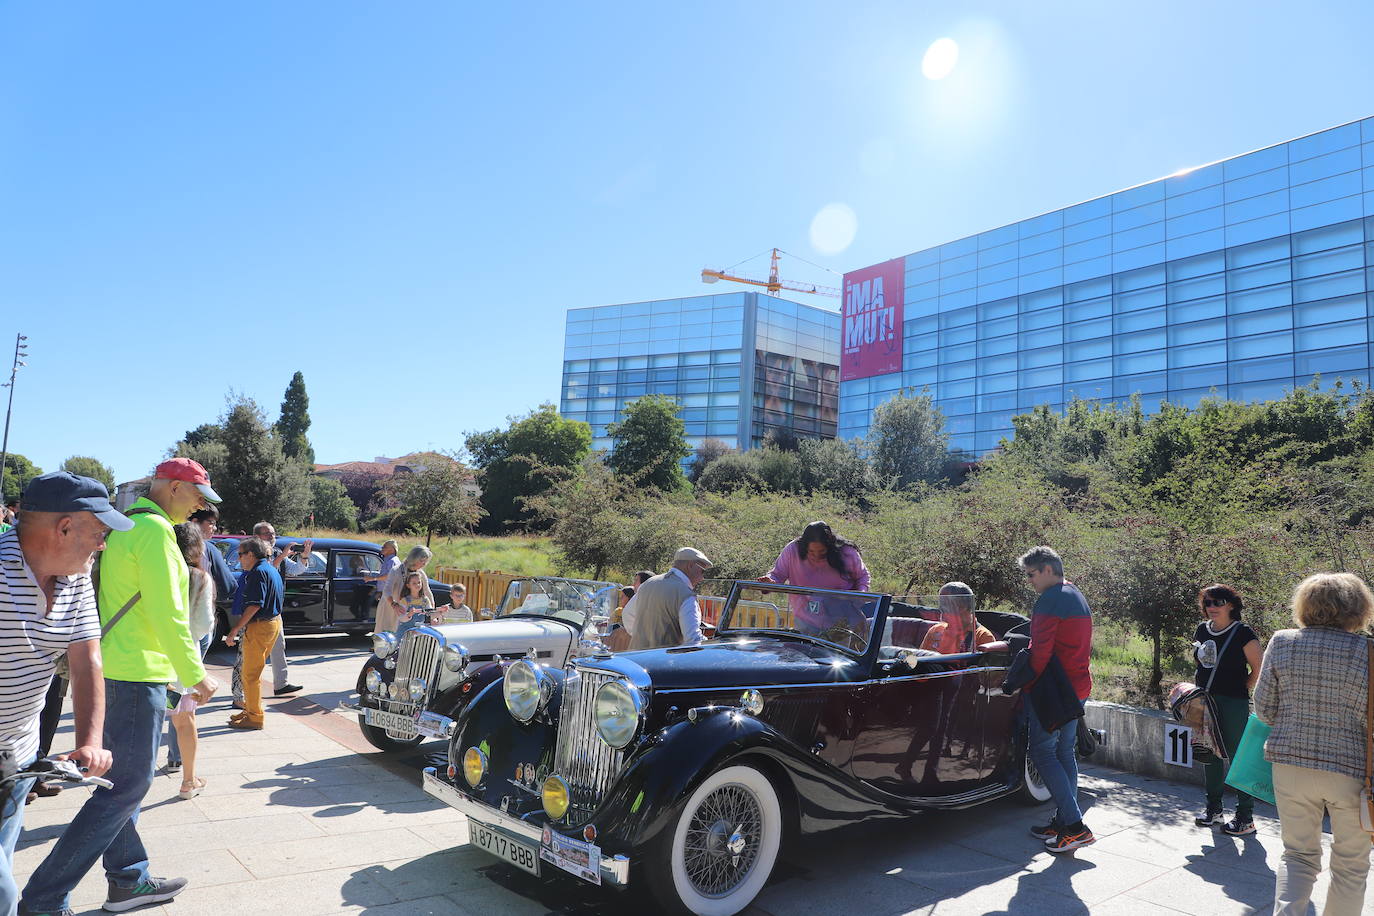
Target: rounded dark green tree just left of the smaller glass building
{"type": "Point", "coordinates": [516, 465]}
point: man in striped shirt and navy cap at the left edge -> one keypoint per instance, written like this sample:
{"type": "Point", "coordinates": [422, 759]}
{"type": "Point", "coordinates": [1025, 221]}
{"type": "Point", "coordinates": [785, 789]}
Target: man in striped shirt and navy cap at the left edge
{"type": "Point", "coordinates": [47, 608]}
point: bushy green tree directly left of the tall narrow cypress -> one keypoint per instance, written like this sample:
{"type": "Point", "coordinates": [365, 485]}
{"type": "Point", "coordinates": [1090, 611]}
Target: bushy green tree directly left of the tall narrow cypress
{"type": "Point", "coordinates": [252, 473]}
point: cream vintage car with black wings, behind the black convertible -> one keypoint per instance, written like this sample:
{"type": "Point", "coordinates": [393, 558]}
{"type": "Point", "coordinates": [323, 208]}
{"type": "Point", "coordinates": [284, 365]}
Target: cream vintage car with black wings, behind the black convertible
{"type": "Point", "coordinates": [414, 689]}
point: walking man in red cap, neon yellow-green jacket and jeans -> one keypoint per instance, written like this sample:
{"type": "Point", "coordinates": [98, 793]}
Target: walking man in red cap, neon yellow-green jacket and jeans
{"type": "Point", "coordinates": [148, 645]}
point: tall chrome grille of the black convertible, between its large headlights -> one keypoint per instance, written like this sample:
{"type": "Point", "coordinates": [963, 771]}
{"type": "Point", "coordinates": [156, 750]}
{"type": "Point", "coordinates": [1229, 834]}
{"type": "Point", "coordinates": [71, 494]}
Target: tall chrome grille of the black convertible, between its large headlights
{"type": "Point", "coordinates": [586, 763]}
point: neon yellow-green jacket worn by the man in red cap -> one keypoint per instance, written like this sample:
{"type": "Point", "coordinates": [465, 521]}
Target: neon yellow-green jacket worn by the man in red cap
{"type": "Point", "coordinates": [152, 645]}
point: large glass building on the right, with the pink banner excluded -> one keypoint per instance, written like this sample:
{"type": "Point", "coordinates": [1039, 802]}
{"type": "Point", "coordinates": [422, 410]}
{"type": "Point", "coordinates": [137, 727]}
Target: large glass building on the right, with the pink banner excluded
{"type": "Point", "coordinates": [1244, 278]}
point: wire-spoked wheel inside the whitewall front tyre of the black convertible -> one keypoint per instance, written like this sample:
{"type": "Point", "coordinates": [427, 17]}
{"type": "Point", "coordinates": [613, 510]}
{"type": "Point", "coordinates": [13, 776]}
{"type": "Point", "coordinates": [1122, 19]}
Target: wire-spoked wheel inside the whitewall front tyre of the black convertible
{"type": "Point", "coordinates": [721, 851]}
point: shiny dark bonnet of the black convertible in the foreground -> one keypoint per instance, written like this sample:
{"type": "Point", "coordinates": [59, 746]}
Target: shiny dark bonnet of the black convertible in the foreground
{"type": "Point", "coordinates": [740, 663]}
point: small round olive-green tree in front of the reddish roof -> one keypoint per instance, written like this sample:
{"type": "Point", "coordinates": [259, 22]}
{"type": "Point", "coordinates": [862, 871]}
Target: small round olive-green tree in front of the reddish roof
{"type": "Point", "coordinates": [439, 496]}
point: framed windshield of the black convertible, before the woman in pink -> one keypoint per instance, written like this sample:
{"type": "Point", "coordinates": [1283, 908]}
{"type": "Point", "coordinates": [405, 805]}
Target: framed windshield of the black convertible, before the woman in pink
{"type": "Point", "coordinates": [843, 619]}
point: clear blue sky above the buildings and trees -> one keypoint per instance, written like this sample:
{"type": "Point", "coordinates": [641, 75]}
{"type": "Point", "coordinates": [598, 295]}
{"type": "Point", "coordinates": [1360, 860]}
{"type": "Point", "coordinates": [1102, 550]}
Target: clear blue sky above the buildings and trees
{"type": "Point", "coordinates": [402, 200]}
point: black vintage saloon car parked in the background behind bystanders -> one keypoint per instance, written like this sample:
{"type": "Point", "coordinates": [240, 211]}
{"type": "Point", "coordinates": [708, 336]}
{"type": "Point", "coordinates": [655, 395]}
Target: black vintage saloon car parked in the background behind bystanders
{"type": "Point", "coordinates": [332, 595]}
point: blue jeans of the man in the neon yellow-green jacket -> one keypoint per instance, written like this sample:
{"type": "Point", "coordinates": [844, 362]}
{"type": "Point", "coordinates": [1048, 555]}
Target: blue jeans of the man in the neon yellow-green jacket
{"type": "Point", "coordinates": [108, 825]}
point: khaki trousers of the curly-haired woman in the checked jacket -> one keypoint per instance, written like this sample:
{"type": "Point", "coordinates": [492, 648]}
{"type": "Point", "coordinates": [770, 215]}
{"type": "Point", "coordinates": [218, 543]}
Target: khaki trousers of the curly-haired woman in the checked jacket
{"type": "Point", "coordinates": [1303, 796]}
